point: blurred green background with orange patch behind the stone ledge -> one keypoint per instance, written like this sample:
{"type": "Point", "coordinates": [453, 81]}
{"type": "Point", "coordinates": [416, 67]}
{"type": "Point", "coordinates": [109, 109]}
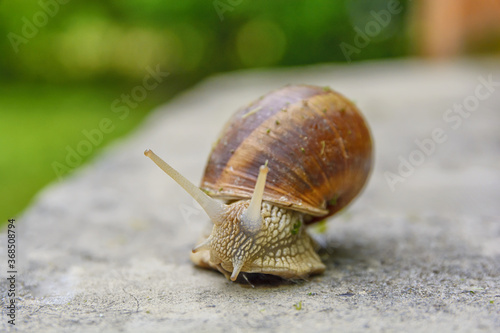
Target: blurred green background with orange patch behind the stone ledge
{"type": "Point", "coordinates": [63, 63]}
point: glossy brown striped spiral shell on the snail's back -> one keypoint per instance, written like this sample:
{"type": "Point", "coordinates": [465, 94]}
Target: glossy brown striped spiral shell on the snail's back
{"type": "Point", "coordinates": [316, 142]}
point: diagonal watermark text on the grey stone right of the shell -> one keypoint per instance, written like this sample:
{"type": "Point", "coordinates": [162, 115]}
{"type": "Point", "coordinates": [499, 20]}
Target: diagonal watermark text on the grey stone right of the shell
{"type": "Point", "coordinates": [453, 117]}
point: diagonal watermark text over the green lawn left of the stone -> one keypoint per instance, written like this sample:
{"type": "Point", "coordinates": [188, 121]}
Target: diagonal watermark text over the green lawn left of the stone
{"type": "Point", "coordinates": [120, 106]}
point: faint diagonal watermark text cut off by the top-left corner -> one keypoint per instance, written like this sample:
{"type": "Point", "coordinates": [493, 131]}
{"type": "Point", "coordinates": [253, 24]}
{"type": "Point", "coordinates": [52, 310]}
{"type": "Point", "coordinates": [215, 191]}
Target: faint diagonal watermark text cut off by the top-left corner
{"type": "Point", "coordinates": [31, 27]}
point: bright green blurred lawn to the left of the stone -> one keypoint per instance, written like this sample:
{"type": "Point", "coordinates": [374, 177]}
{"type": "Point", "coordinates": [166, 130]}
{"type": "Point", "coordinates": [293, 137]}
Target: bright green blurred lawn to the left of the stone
{"type": "Point", "coordinates": [39, 122]}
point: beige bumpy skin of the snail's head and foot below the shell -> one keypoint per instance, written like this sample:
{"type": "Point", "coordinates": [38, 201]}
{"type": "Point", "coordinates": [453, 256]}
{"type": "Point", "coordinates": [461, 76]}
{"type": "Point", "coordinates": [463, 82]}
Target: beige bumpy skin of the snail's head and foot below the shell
{"type": "Point", "coordinates": [282, 247]}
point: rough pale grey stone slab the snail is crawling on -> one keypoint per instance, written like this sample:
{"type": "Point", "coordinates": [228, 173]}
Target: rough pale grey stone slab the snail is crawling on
{"type": "Point", "coordinates": [107, 249]}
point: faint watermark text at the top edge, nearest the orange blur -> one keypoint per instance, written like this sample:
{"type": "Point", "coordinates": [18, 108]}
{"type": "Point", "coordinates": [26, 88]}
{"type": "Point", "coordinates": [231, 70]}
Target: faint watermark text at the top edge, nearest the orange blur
{"type": "Point", "coordinates": [380, 20]}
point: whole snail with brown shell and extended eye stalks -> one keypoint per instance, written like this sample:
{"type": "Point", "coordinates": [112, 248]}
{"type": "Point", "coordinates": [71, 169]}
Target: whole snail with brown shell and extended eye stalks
{"type": "Point", "coordinates": [291, 158]}
